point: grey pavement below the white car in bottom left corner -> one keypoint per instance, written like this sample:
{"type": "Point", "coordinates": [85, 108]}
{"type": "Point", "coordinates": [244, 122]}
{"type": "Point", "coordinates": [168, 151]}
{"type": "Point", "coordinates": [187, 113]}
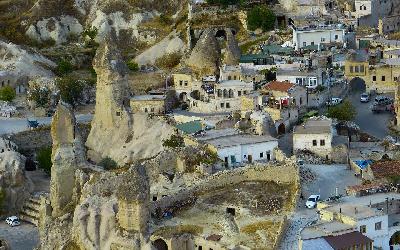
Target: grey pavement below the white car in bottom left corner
{"type": "Point", "coordinates": [24, 237]}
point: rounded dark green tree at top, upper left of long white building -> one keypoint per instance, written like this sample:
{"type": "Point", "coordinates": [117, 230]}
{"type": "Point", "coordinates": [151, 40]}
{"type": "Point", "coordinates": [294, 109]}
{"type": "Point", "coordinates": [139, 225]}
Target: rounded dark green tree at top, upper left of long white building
{"type": "Point", "coordinates": [261, 17]}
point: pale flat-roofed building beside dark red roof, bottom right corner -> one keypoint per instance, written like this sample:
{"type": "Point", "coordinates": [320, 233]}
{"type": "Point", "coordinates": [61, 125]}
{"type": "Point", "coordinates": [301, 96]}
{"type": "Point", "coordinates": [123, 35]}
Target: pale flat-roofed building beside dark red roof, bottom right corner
{"type": "Point", "coordinates": [375, 216]}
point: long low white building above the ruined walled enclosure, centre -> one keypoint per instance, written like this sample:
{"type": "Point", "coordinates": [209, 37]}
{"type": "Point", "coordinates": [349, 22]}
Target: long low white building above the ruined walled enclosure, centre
{"type": "Point", "coordinates": [237, 149]}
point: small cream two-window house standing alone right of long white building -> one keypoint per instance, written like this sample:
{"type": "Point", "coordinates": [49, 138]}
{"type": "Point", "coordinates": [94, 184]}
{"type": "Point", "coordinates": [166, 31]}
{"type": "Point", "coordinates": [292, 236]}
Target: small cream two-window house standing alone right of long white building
{"type": "Point", "coordinates": [314, 135]}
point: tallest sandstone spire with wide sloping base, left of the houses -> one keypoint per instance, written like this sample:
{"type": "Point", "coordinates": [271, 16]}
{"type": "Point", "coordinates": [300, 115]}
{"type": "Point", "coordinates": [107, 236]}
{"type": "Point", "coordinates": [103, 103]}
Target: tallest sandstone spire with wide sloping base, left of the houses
{"type": "Point", "coordinates": [116, 132]}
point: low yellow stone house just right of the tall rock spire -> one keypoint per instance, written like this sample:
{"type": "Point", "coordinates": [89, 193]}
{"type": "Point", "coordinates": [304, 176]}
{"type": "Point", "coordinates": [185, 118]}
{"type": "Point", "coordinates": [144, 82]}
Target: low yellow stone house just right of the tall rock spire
{"type": "Point", "coordinates": [150, 104]}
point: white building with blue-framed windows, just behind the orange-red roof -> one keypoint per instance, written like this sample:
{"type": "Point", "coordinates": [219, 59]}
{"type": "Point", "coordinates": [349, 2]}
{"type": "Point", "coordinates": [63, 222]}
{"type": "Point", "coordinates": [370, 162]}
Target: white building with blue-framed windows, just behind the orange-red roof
{"type": "Point", "coordinates": [308, 78]}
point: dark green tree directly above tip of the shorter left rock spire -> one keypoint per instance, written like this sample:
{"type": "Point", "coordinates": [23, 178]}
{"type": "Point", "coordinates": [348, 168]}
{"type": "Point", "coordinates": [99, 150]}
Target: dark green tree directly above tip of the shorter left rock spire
{"type": "Point", "coordinates": [70, 89]}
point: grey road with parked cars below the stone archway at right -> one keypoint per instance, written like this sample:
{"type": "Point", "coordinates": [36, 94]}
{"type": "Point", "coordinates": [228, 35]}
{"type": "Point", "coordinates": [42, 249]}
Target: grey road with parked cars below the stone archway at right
{"type": "Point", "coordinates": [373, 124]}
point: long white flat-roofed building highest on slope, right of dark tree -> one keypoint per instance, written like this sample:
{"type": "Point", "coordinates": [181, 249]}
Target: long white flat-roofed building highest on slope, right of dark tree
{"type": "Point", "coordinates": [315, 36]}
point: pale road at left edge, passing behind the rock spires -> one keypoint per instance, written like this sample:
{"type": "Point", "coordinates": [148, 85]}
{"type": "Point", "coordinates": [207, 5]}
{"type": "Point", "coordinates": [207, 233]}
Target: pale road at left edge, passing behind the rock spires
{"type": "Point", "coordinates": [15, 125]}
